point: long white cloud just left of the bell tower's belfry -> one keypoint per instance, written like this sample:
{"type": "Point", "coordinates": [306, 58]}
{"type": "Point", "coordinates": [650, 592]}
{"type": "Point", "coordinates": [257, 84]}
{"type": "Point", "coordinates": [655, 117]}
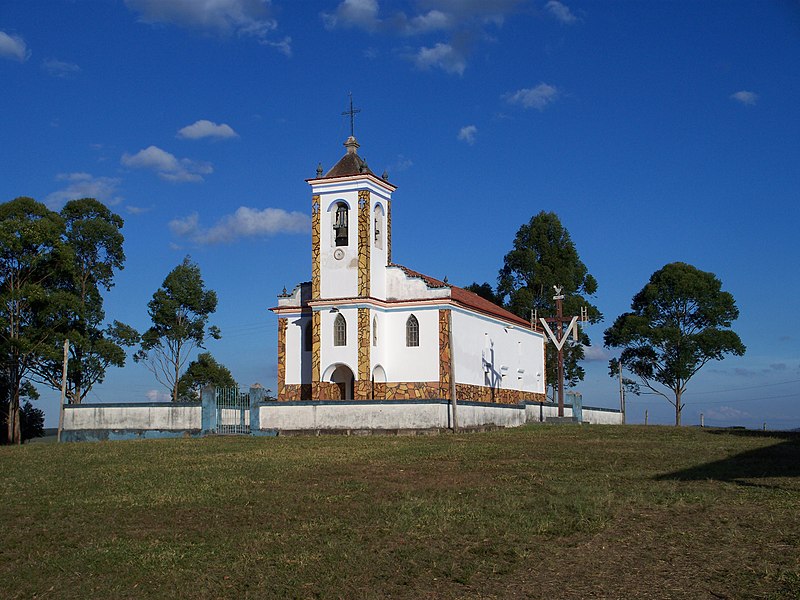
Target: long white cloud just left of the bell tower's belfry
{"type": "Point", "coordinates": [245, 222]}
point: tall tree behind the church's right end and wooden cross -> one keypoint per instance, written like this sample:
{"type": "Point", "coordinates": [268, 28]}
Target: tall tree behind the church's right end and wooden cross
{"type": "Point", "coordinates": [544, 256]}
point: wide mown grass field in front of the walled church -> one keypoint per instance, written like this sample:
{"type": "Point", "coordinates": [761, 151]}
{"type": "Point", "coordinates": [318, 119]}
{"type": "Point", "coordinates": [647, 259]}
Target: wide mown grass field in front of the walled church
{"type": "Point", "coordinates": [539, 512]}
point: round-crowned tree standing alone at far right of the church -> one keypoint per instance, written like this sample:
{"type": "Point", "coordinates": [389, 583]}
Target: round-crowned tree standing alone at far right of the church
{"type": "Point", "coordinates": [678, 322]}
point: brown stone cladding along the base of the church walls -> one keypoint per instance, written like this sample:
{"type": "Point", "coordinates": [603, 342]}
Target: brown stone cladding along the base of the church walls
{"type": "Point", "coordinates": [405, 390]}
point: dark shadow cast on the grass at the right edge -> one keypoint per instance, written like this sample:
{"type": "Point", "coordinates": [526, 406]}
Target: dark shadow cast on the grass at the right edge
{"type": "Point", "coordinates": [779, 460]}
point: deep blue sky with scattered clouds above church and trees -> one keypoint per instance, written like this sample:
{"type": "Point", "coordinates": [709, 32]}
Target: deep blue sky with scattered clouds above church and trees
{"type": "Point", "coordinates": [657, 132]}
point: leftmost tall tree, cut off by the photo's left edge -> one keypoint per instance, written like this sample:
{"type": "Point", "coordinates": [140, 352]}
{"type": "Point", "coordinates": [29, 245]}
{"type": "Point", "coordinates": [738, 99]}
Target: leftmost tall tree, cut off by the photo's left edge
{"type": "Point", "coordinates": [33, 260]}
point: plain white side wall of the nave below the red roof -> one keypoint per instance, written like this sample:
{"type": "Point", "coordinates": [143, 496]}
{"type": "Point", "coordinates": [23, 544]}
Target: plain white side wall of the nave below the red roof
{"type": "Point", "coordinates": [490, 352]}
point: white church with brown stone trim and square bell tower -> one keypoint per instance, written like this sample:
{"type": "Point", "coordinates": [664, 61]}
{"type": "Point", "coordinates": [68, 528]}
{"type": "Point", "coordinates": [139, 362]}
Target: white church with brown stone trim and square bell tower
{"type": "Point", "coordinates": [365, 328]}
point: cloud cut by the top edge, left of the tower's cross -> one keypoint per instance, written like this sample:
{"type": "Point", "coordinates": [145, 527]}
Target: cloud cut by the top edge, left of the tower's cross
{"type": "Point", "coordinates": [245, 18]}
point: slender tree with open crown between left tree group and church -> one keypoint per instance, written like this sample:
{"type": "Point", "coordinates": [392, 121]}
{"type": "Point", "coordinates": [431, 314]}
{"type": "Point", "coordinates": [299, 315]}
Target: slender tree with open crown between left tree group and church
{"type": "Point", "coordinates": [179, 311]}
